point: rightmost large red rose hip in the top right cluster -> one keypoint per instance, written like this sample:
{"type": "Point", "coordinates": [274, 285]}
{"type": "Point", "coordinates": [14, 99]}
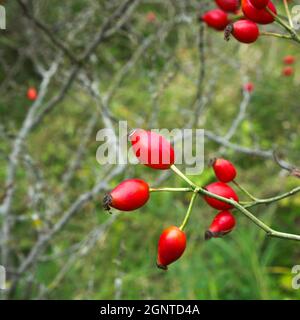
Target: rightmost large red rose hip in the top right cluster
{"type": "Point", "coordinates": [259, 16]}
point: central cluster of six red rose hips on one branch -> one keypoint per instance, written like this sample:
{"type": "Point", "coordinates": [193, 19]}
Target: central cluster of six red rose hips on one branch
{"type": "Point", "coordinates": [154, 151]}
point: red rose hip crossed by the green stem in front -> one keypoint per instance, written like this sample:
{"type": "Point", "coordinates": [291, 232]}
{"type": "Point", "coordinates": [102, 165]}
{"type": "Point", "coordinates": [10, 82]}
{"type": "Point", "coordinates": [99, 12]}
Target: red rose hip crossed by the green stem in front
{"type": "Point", "coordinates": [223, 190]}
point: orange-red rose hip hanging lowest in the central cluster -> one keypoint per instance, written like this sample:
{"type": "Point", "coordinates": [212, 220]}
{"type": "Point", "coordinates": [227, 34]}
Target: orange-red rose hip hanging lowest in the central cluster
{"type": "Point", "coordinates": [171, 246]}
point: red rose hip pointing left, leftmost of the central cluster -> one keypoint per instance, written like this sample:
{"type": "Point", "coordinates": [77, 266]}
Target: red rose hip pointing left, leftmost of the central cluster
{"type": "Point", "coordinates": [129, 195]}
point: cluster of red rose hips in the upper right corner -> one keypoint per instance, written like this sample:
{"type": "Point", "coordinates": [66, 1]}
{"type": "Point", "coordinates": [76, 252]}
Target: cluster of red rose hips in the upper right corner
{"type": "Point", "coordinates": [245, 29]}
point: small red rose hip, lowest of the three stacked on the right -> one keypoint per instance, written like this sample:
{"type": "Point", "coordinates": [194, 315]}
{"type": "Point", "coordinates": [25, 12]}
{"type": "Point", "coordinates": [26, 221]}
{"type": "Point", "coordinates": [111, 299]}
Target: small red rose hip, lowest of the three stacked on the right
{"type": "Point", "coordinates": [222, 224]}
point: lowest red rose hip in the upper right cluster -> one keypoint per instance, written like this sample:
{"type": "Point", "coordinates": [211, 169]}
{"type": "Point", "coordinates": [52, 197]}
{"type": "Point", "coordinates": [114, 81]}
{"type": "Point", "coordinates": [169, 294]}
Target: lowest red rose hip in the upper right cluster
{"type": "Point", "coordinates": [245, 31]}
